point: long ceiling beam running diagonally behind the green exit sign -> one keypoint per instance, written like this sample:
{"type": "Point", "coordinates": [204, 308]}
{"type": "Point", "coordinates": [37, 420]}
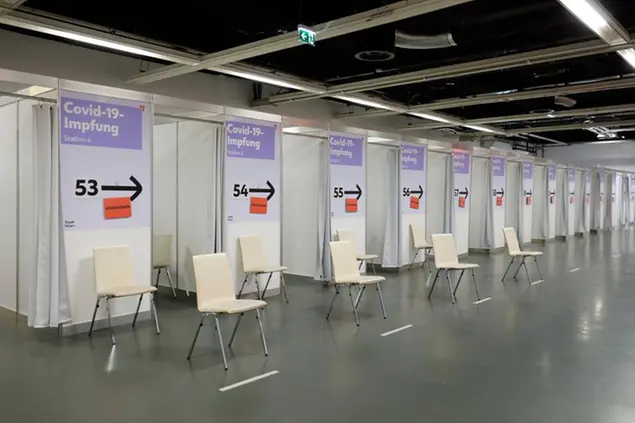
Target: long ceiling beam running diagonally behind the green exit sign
{"type": "Point", "coordinates": [391, 13]}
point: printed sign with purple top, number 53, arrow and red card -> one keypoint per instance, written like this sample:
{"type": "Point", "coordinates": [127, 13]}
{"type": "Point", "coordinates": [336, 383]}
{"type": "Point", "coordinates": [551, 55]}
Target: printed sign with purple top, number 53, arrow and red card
{"type": "Point", "coordinates": [105, 162]}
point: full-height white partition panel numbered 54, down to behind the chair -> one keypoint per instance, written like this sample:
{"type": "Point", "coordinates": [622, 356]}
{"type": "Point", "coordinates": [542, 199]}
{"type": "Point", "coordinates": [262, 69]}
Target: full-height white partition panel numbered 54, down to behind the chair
{"type": "Point", "coordinates": [252, 200]}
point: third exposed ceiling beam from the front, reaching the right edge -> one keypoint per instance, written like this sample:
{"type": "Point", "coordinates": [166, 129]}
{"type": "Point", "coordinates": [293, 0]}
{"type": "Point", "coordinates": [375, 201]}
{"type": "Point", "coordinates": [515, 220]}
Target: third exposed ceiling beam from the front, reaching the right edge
{"type": "Point", "coordinates": [576, 88]}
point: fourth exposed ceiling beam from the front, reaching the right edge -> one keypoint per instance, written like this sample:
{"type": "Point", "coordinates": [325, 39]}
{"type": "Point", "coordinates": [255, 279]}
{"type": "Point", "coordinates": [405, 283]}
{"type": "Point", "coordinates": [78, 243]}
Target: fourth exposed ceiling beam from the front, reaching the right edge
{"type": "Point", "coordinates": [532, 116]}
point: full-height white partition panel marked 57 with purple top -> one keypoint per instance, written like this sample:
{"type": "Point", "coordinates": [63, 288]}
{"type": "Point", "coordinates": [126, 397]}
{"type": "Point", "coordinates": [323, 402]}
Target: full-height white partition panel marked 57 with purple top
{"type": "Point", "coordinates": [460, 224]}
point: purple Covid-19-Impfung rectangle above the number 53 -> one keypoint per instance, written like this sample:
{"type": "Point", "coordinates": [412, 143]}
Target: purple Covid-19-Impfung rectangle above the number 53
{"type": "Point", "coordinates": [96, 124]}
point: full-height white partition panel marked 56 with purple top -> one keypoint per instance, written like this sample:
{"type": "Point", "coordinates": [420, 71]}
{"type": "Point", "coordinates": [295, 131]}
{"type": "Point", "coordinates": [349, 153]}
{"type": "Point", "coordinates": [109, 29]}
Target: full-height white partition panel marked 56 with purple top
{"type": "Point", "coordinates": [413, 196]}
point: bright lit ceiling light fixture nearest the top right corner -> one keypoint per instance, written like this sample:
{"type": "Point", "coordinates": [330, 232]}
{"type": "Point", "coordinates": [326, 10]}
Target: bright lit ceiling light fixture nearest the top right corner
{"type": "Point", "coordinates": [595, 18]}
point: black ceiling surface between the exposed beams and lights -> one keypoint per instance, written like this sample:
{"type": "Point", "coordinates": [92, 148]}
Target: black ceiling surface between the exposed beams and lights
{"type": "Point", "coordinates": [481, 29]}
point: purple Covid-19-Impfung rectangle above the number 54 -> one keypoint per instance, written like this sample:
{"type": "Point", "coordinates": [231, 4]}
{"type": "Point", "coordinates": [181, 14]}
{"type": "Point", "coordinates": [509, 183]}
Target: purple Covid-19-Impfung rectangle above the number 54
{"type": "Point", "coordinates": [249, 140]}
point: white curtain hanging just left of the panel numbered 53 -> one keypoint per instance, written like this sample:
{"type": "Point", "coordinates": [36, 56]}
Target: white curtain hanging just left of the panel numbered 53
{"type": "Point", "coordinates": [48, 298]}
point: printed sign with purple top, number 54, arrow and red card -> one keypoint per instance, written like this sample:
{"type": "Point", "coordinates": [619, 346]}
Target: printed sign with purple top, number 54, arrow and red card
{"type": "Point", "coordinates": [252, 171]}
